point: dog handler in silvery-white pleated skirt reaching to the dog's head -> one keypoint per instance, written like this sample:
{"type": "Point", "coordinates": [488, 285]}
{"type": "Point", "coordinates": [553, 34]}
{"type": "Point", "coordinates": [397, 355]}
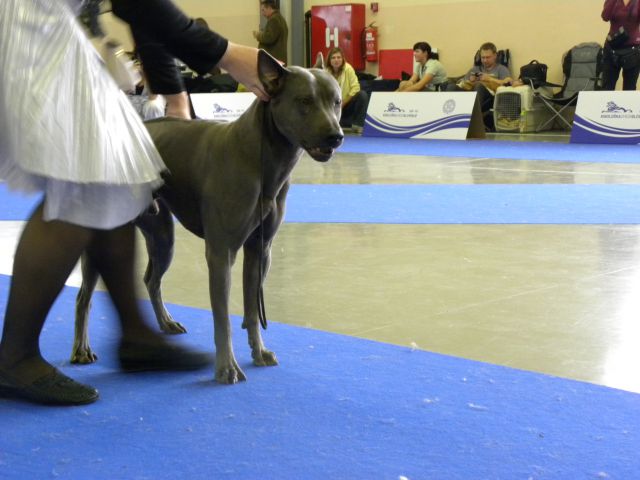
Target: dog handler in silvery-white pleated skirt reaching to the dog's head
{"type": "Point", "coordinates": [83, 145]}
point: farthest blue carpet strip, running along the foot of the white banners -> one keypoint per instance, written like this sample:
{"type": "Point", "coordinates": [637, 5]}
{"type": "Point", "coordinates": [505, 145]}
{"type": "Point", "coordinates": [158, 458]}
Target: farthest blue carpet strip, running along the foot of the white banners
{"type": "Point", "coordinates": [494, 149]}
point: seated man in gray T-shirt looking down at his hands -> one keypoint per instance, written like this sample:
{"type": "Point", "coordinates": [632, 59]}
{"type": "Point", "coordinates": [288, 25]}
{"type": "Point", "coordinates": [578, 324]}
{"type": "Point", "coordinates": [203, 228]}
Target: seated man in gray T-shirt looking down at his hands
{"type": "Point", "coordinates": [485, 78]}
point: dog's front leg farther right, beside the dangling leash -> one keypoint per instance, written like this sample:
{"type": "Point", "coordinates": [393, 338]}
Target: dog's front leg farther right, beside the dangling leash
{"type": "Point", "coordinates": [251, 281]}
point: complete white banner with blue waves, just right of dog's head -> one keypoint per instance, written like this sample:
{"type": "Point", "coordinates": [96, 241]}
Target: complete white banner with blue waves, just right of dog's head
{"type": "Point", "coordinates": [441, 115]}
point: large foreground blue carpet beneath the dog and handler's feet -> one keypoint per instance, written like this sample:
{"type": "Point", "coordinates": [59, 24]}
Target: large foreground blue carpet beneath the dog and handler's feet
{"type": "Point", "coordinates": [337, 407]}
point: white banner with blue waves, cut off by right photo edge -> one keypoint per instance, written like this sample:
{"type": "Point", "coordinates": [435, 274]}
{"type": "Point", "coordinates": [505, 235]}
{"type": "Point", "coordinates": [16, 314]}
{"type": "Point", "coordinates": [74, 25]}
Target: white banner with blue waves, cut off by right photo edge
{"type": "Point", "coordinates": [607, 117]}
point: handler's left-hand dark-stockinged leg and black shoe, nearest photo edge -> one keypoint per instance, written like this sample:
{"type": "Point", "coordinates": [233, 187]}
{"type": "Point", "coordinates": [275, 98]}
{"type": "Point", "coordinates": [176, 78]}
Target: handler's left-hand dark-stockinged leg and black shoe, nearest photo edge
{"type": "Point", "coordinates": [46, 254]}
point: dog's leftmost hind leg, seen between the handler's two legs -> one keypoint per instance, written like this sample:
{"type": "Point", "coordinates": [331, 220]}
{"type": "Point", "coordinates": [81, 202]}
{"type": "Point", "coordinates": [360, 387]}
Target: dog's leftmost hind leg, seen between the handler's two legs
{"type": "Point", "coordinates": [81, 352]}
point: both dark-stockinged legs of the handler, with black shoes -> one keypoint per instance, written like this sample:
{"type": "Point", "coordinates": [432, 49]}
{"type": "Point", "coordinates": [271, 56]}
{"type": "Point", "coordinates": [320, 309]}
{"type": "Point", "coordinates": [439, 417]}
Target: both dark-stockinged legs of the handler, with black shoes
{"type": "Point", "coordinates": [46, 255]}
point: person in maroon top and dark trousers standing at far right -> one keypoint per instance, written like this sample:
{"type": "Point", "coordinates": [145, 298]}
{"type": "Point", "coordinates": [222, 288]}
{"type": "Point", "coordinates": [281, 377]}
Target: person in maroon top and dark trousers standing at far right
{"type": "Point", "coordinates": [622, 47]}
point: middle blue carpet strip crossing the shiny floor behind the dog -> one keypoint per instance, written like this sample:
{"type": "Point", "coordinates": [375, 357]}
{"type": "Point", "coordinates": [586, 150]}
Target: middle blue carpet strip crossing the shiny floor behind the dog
{"type": "Point", "coordinates": [438, 204]}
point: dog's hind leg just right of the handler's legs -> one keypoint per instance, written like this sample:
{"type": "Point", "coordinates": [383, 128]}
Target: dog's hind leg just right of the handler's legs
{"type": "Point", "coordinates": [158, 232]}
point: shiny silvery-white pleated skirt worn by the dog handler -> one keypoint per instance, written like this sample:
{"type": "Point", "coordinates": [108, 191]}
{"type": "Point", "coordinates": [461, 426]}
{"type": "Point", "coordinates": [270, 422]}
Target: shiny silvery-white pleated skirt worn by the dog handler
{"type": "Point", "coordinates": [65, 127]}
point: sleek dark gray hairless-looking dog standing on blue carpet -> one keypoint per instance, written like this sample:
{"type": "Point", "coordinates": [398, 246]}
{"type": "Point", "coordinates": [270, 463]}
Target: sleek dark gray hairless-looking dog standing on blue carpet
{"type": "Point", "coordinates": [227, 183]}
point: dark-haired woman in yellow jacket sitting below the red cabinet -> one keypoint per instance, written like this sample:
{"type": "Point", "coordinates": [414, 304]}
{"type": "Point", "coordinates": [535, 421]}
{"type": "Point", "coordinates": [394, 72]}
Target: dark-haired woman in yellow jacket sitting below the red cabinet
{"type": "Point", "coordinates": [354, 100]}
